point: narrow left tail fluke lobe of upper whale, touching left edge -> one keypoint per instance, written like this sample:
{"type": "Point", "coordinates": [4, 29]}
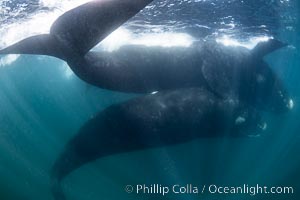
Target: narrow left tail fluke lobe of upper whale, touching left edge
{"type": "Point", "coordinates": [40, 44]}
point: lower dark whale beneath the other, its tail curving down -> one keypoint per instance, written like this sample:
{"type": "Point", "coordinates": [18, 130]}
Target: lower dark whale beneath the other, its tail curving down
{"type": "Point", "coordinates": [154, 120]}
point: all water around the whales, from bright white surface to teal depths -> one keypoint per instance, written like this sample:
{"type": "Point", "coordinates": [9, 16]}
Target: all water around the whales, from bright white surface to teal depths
{"type": "Point", "coordinates": [43, 105]}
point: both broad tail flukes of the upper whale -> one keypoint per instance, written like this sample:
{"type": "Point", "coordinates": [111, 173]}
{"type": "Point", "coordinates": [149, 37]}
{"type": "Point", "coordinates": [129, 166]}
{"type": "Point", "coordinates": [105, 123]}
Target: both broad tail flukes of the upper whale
{"type": "Point", "coordinates": [77, 31]}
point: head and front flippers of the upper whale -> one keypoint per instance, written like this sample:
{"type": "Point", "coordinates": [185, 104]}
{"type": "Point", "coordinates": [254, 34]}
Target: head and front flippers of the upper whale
{"type": "Point", "coordinates": [239, 73]}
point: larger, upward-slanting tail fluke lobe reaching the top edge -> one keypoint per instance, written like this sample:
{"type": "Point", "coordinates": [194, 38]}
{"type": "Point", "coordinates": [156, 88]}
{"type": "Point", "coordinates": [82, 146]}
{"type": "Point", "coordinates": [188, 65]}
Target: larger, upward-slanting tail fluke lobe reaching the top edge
{"type": "Point", "coordinates": [85, 26]}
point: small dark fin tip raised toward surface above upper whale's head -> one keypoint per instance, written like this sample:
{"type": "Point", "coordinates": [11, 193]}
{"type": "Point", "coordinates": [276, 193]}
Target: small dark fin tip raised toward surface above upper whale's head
{"type": "Point", "coordinates": [264, 48]}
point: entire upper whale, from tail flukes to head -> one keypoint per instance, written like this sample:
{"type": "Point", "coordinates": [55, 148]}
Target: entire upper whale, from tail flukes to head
{"type": "Point", "coordinates": [230, 72]}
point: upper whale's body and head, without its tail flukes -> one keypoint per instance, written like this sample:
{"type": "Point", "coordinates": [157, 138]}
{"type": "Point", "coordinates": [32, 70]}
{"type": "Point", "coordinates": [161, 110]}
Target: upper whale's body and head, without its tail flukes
{"type": "Point", "coordinates": [229, 72]}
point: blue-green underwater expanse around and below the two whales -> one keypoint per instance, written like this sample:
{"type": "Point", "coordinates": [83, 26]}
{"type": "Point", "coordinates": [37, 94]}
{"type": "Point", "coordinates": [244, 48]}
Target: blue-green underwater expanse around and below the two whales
{"type": "Point", "coordinates": [41, 109]}
